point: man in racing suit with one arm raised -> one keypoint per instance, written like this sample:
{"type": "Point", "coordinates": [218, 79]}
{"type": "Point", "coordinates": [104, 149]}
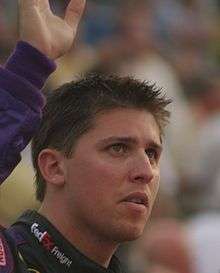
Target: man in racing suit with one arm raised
{"type": "Point", "coordinates": [96, 153]}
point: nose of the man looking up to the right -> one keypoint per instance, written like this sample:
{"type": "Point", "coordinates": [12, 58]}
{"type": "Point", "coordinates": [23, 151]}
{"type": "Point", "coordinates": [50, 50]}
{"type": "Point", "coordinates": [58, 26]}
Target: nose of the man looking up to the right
{"type": "Point", "coordinates": [141, 170]}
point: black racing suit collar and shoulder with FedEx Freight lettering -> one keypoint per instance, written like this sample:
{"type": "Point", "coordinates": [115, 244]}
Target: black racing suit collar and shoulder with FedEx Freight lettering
{"type": "Point", "coordinates": [36, 246]}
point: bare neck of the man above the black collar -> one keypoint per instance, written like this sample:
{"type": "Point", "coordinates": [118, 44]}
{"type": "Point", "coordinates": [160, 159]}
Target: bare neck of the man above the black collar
{"type": "Point", "coordinates": [91, 245]}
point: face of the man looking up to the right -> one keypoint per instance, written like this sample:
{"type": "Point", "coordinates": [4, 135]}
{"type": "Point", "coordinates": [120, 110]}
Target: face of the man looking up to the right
{"type": "Point", "coordinates": [113, 176]}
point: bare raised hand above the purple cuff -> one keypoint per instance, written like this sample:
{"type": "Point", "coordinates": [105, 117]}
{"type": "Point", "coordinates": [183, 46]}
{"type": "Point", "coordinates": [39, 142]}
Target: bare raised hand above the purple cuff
{"type": "Point", "coordinates": [52, 35]}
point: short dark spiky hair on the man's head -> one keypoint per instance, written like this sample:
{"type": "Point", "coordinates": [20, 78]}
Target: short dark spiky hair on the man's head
{"type": "Point", "coordinates": [70, 111]}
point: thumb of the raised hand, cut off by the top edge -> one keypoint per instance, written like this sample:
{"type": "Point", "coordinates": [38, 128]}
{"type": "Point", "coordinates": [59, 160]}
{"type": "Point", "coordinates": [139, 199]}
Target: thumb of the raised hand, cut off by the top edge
{"type": "Point", "coordinates": [74, 12]}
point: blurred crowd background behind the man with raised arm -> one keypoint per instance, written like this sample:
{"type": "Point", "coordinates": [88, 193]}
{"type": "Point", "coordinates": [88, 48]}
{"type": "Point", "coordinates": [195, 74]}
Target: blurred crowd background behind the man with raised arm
{"type": "Point", "coordinates": [175, 44]}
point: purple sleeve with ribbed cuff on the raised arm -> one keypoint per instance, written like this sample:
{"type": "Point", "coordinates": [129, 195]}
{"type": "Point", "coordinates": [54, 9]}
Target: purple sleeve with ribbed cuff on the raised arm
{"type": "Point", "coordinates": [21, 102]}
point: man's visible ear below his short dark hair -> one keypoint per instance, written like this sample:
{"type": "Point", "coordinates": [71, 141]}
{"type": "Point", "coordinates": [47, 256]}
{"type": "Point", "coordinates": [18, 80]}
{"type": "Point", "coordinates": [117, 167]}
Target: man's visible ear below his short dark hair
{"type": "Point", "coordinates": [51, 165]}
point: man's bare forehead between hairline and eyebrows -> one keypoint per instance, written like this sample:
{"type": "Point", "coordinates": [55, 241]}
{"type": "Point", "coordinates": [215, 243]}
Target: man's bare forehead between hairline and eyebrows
{"type": "Point", "coordinates": [126, 122]}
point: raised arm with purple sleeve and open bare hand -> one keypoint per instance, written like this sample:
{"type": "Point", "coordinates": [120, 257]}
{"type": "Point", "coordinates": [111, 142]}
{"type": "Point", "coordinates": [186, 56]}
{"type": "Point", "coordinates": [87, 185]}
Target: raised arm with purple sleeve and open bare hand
{"type": "Point", "coordinates": [45, 37]}
